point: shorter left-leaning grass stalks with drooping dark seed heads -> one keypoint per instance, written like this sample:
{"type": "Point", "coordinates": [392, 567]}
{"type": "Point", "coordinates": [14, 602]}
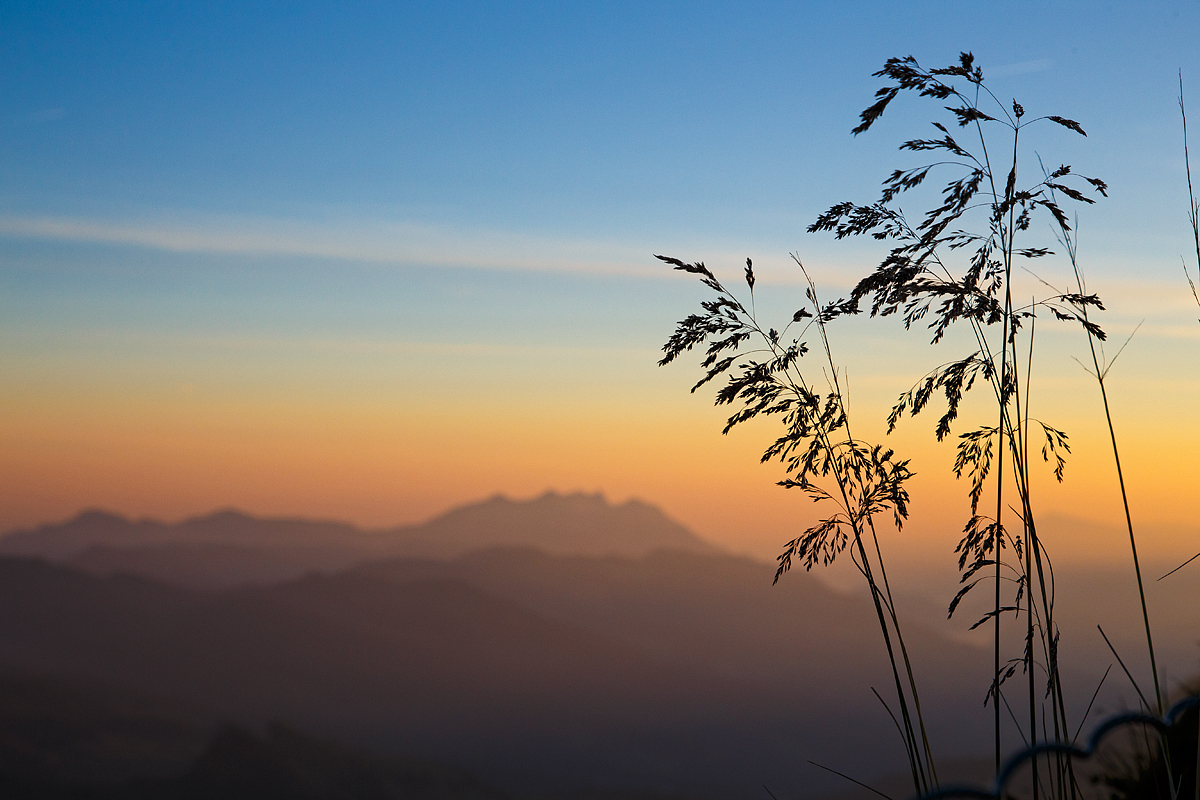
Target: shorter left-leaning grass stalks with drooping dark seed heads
{"type": "Point", "coordinates": [820, 453]}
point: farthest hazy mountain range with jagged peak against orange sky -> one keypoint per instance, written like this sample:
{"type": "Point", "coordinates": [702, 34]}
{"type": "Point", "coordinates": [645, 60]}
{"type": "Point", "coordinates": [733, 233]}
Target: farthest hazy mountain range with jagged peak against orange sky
{"type": "Point", "coordinates": [230, 549]}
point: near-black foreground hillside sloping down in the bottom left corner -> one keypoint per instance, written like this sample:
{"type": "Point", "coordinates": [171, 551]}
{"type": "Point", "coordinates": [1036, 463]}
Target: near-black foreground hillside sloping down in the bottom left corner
{"type": "Point", "coordinates": [64, 742]}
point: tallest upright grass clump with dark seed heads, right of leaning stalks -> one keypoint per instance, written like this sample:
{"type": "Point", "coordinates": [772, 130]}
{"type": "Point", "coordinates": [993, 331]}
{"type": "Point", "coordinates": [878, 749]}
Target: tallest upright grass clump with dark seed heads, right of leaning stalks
{"type": "Point", "coordinates": [917, 282]}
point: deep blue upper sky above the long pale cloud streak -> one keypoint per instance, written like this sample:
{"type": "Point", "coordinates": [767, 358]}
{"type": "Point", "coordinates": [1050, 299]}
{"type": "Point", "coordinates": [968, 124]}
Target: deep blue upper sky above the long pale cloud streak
{"type": "Point", "coordinates": [611, 123]}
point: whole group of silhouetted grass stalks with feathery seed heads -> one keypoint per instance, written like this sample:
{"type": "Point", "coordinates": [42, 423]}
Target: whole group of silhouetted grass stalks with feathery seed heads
{"type": "Point", "coordinates": [952, 268]}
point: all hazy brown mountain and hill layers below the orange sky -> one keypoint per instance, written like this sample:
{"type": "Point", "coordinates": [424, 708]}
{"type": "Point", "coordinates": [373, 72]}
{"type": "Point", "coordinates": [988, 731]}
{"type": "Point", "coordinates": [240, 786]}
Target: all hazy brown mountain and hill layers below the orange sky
{"type": "Point", "coordinates": [550, 647]}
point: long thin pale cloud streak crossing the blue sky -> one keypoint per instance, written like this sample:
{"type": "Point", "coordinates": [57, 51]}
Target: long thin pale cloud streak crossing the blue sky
{"type": "Point", "coordinates": [407, 244]}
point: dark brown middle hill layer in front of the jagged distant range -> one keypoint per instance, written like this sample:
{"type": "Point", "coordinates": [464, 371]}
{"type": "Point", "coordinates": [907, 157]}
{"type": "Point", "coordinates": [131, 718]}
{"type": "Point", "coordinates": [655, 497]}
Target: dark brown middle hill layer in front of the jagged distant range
{"type": "Point", "coordinates": [439, 669]}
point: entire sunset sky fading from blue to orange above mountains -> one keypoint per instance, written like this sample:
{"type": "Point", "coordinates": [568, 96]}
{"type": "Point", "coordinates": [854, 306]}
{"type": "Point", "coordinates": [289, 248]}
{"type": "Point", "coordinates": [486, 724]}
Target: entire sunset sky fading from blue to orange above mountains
{"type": "Point", "coordinates": [373, 261]}
